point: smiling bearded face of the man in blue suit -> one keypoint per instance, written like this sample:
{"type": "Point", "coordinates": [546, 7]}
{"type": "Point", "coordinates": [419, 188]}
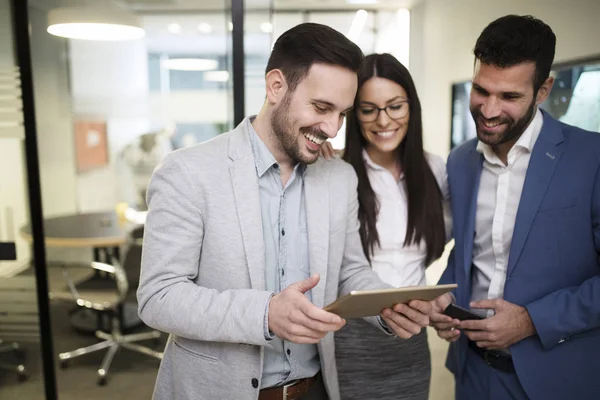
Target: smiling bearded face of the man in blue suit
{"type": "Point", "coordinates": [503, 101]}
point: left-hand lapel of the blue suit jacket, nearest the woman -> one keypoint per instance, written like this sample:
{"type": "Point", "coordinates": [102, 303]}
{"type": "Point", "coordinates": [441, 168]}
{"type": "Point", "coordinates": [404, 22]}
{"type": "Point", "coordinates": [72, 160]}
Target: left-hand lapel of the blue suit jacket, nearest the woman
{"type": "Point", "coordinates": [473, 167]}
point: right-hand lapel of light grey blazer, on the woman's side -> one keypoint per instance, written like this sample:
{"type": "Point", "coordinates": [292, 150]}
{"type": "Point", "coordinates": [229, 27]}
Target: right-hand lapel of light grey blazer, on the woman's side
{"type": "Point", "coordinates": [317, 215]}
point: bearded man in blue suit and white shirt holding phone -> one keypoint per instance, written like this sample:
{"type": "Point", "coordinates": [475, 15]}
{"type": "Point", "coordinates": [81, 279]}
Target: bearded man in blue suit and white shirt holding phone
{"type": "Point", "coordinates": [525, 199]}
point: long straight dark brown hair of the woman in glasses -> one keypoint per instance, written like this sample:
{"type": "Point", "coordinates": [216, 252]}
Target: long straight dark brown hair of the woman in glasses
{"type": "Point", "coordinates": [425, 212]}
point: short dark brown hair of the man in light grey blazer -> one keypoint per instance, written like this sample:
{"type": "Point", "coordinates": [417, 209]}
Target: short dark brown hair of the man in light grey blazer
{"type": "Point", "coordinates": [297, 49]}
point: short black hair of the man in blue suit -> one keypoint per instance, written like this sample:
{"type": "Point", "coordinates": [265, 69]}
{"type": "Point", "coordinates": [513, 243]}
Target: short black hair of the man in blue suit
{"type": "Point", "coordinates": [514, 39]}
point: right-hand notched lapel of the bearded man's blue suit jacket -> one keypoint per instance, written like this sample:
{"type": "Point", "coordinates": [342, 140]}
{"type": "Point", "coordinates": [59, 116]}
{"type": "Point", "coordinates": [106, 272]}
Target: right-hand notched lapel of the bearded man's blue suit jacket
{"type": "Point", "coordinates": [543, 162]}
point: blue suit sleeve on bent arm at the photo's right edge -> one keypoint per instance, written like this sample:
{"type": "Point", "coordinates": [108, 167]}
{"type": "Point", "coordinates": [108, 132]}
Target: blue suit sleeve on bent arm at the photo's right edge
{"type": "Point", "coordinates": [572, 310]}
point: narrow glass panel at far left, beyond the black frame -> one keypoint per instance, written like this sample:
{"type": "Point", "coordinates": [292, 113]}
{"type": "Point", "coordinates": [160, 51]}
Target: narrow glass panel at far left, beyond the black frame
{"type": "Point", "coordinates": [21, 368]}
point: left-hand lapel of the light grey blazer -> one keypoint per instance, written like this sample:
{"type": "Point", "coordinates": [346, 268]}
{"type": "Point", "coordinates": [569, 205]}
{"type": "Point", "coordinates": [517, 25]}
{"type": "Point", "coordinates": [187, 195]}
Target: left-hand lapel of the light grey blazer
{"type": "Point", "coordinates": [247, 200]}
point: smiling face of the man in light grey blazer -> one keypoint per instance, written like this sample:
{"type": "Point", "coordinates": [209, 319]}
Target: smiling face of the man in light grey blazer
{"type": "Point", "coordinates": [314, 112]}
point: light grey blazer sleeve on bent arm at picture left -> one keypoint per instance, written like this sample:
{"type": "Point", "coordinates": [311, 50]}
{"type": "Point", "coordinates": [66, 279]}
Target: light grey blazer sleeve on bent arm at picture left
{"type": "Point", "coordinates": [168, 296]}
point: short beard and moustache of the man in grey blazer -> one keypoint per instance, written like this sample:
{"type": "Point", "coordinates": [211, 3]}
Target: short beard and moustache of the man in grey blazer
{"type": "Point", "coordinates": [283, 129]}
